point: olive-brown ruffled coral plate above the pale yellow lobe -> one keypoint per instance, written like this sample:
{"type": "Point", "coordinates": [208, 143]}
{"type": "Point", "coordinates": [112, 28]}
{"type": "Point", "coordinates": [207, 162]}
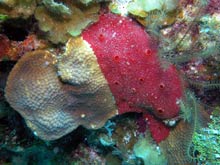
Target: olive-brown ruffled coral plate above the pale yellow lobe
{"type": "Point", "coordinates": [60, 27]}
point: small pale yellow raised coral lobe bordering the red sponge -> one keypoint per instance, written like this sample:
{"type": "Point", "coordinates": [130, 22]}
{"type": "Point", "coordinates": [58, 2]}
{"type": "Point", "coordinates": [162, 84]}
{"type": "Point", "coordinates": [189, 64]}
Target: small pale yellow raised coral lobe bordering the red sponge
{"type": "Point", "coordinates": [79, 65]}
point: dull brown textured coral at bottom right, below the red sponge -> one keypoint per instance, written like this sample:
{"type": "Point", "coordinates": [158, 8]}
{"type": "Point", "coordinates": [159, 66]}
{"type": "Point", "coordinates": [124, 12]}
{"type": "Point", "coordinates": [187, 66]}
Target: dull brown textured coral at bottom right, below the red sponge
{"type": "Point", "coordinates": [178, 146]}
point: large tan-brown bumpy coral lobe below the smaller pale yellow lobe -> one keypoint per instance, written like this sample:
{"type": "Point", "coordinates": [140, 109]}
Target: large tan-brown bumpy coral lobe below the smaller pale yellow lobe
{"type": "Point", "coordinates": [50, 107]}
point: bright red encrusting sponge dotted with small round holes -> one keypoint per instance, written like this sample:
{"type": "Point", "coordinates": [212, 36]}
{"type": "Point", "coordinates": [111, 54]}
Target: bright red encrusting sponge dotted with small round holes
{"type": "Point", "coordinates": [128, 59]}
